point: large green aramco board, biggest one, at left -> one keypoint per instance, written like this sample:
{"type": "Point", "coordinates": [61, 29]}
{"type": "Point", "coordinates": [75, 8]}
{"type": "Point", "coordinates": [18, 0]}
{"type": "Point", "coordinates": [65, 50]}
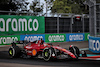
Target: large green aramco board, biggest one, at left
{"type": "Point", "coordinates": [12, 24]}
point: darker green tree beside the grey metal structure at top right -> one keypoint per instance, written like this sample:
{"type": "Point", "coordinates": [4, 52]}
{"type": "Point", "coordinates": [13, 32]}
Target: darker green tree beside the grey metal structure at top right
{"type": "Point", "coordinates": [78, 6]}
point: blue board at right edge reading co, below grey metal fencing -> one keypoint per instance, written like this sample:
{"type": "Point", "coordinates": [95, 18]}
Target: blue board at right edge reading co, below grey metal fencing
{"type": "Point", "coordinates": [94, 44]}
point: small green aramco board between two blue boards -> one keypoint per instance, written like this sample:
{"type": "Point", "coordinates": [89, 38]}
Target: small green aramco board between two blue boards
{"type": "Point", "coordinates": [55, 37]}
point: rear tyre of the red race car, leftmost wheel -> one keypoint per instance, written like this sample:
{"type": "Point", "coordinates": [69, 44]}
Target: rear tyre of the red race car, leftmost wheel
{"type": "Point", "coordinates": [14, 51]}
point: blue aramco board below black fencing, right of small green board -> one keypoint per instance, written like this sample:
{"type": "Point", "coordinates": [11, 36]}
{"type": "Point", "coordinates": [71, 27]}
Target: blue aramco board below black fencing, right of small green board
{"type": "Point", "coordinates": [75, 37]}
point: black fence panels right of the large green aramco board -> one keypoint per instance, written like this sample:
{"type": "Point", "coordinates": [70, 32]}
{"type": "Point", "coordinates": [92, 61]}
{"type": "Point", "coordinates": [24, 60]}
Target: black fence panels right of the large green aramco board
{"type": "Point", "coordinates": [65, 25]}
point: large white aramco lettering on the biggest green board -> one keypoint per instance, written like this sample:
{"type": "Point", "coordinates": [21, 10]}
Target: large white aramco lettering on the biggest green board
{"type": "Point", "coordinates": [20, 25]}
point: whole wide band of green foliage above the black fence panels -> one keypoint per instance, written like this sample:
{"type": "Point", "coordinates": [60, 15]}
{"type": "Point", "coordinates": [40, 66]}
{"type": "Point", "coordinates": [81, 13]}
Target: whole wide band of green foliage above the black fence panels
{"type": "Point", "coordinates": [69, 6]}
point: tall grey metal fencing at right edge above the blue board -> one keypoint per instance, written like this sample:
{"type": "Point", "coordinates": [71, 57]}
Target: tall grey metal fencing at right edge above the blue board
{"type": "Point", "coordinates": [94, 17]}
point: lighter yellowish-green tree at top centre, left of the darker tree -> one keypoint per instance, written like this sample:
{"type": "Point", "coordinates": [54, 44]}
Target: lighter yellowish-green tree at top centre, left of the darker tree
{"type": "Point", "coordinates": [60, 6]}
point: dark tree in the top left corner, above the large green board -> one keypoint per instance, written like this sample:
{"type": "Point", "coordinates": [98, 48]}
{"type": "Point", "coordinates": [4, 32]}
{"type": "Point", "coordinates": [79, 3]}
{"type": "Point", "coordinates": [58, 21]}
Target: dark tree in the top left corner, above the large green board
{"type": "Point", "coordinates": [13, 5]}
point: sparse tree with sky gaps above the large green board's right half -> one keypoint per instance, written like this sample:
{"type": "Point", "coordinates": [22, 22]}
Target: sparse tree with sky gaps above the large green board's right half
{"type": "Point", "coordinates": [36, 7]}
